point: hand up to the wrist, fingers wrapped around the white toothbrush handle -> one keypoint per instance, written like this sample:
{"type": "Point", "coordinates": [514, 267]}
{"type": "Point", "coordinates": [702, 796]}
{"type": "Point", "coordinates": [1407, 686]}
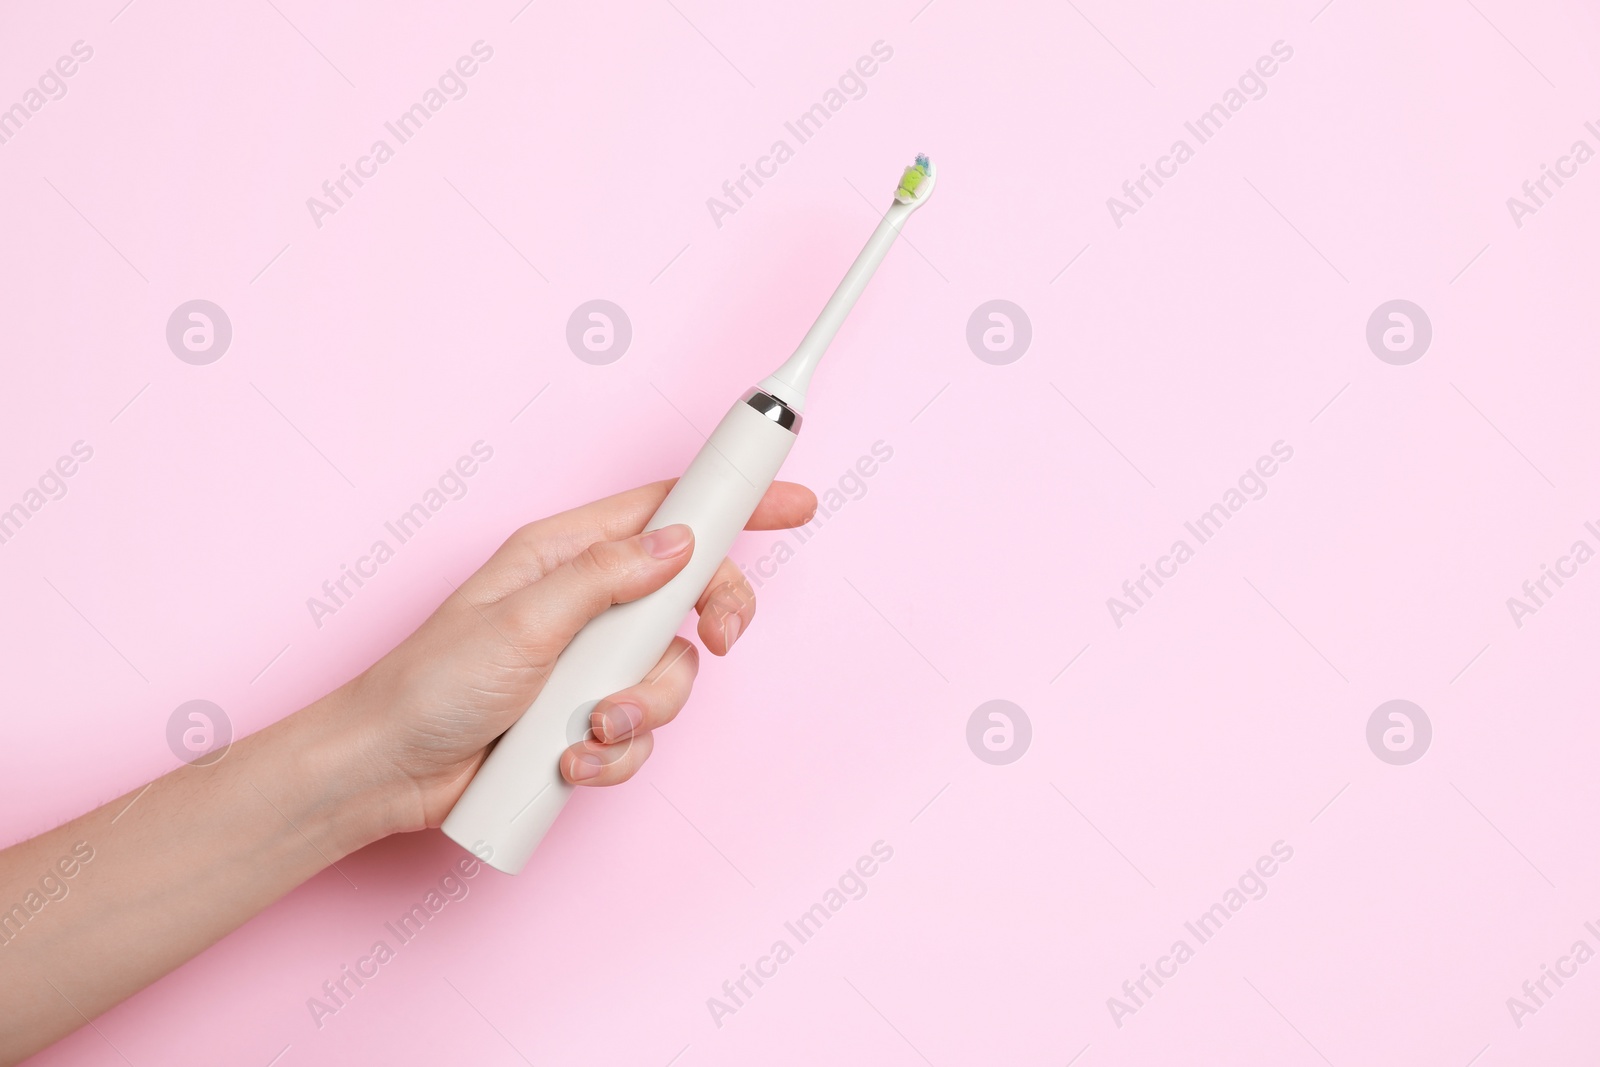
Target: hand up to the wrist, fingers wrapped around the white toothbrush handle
{"type": "Point", "coordinates": [430, 709]}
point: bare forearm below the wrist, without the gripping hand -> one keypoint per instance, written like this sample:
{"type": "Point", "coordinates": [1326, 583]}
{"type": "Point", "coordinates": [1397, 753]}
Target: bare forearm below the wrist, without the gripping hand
{"type": "Point", "coordinates": [103, 906]}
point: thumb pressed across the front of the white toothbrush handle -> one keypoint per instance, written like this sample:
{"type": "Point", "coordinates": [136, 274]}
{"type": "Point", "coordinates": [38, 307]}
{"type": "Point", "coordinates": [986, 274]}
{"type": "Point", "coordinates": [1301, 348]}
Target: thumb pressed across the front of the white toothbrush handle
{"type": "Point", "coordinates": [550, 613]}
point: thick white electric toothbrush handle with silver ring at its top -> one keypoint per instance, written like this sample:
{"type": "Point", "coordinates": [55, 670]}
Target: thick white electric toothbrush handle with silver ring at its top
{"type": "Point", "coordinates": [519, 791]}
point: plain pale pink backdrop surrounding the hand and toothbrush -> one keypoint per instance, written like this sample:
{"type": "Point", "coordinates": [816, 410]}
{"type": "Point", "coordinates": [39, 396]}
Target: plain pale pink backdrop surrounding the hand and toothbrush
{"type": "Point", "coordinates": [1175, 751]}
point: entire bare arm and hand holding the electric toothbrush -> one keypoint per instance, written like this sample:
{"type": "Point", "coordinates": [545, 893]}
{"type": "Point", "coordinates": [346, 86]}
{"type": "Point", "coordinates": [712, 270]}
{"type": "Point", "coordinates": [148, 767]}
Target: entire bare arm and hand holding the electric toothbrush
{"type": "Point", "coordinates": [178, 865]}
